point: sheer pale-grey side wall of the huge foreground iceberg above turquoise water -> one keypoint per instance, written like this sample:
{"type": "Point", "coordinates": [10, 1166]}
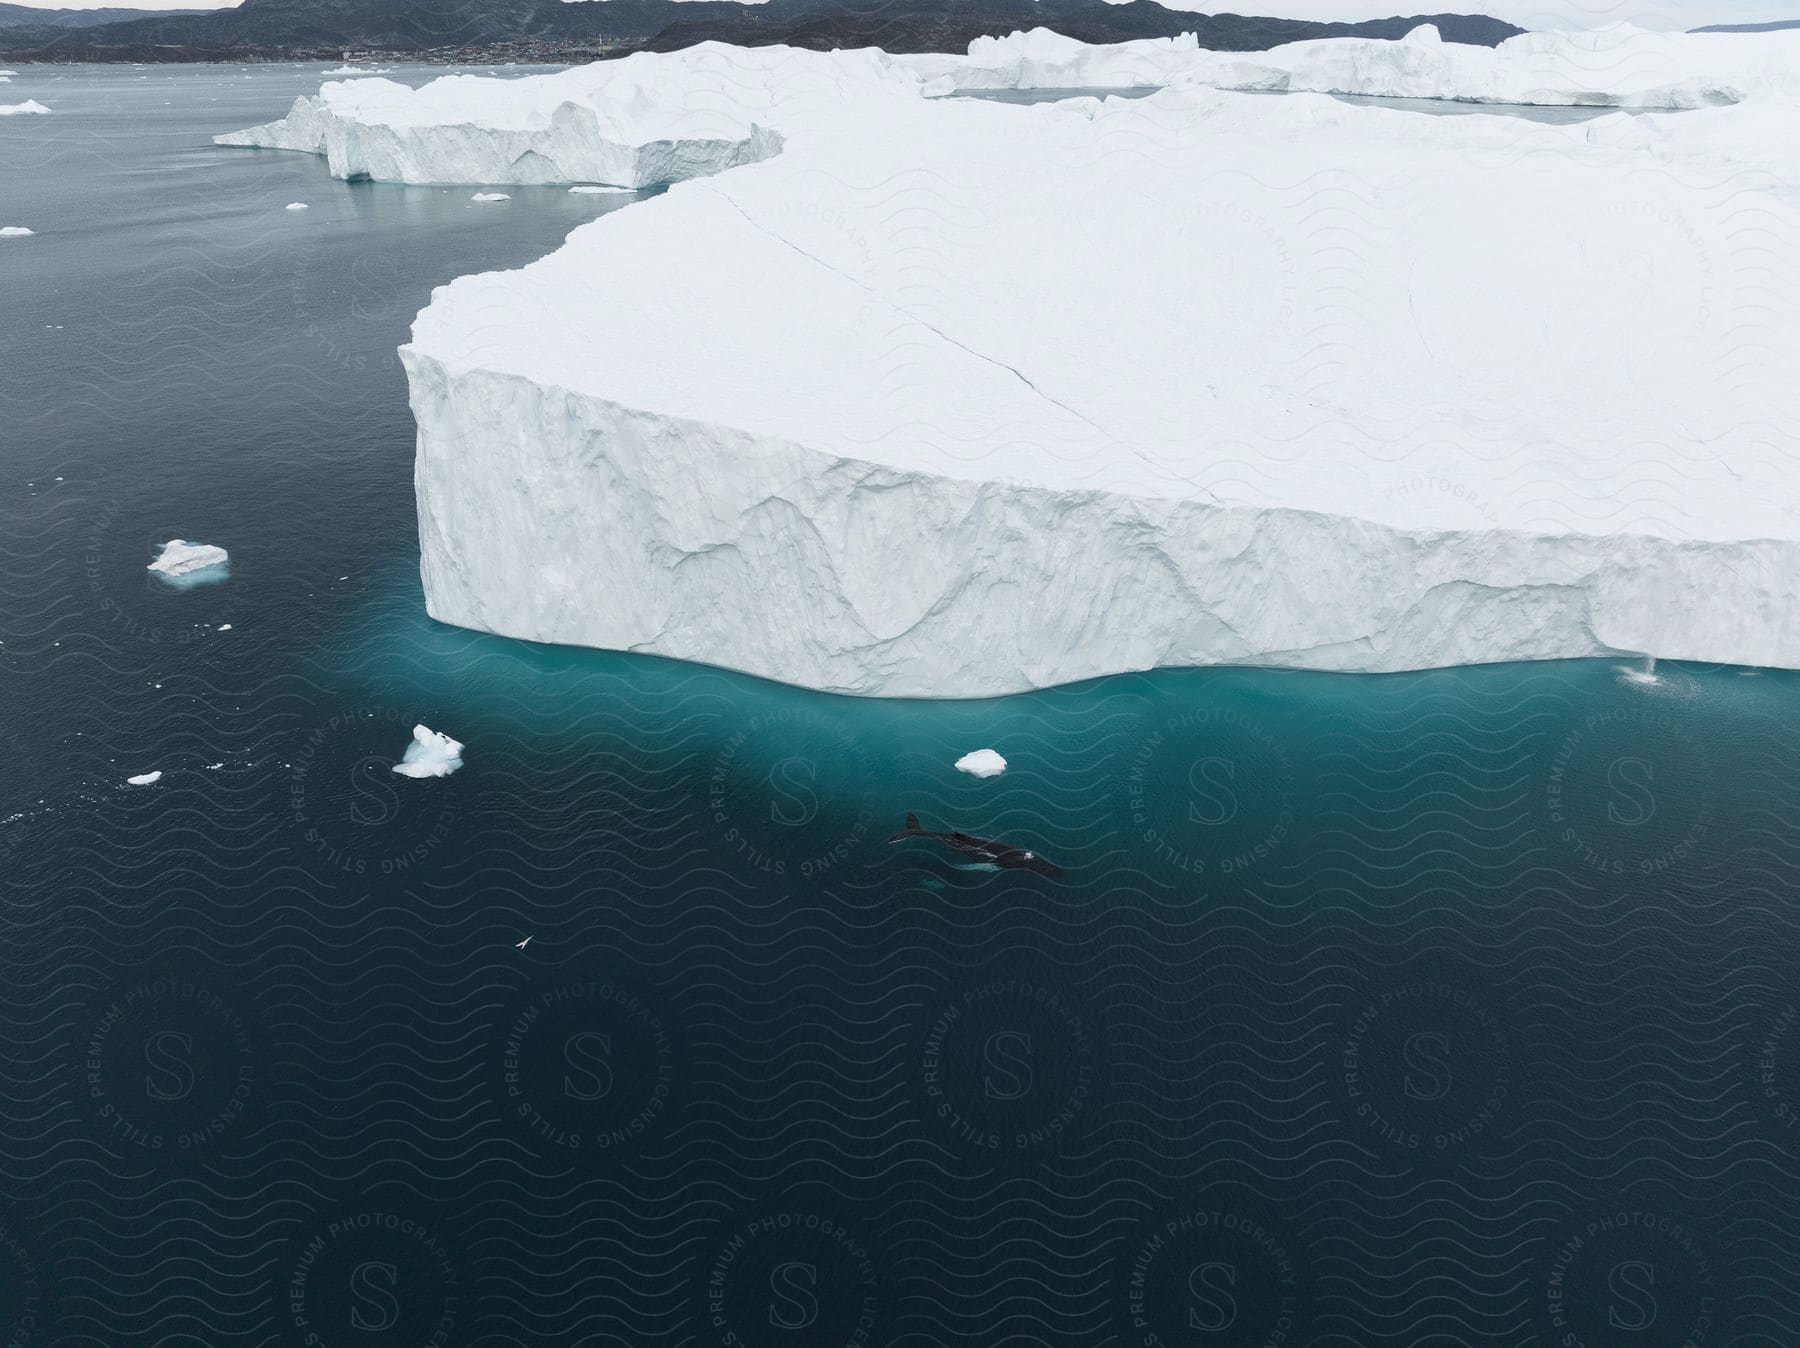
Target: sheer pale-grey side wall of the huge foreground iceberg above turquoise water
{"type": "Point", "coordinates": [858, 579]}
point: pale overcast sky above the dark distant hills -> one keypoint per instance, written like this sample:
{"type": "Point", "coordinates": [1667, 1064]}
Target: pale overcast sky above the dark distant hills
{"type": "Point", "coordinates": [1525, 13]}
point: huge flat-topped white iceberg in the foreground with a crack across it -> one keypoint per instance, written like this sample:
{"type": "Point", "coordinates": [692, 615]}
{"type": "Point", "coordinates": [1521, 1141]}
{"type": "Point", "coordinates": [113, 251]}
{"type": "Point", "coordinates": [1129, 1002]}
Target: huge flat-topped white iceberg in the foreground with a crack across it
{"type": "Point", "coordinates": [957, 399]}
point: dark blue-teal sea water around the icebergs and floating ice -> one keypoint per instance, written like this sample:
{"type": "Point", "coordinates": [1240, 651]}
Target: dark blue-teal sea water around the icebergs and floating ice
{"type": "Point", "coordinates": [1443, 1009]}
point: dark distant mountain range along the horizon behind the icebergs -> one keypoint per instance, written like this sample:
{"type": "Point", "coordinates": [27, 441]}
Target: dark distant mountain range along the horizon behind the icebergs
{"type": "Point", "coordinates": [559, 31]}
